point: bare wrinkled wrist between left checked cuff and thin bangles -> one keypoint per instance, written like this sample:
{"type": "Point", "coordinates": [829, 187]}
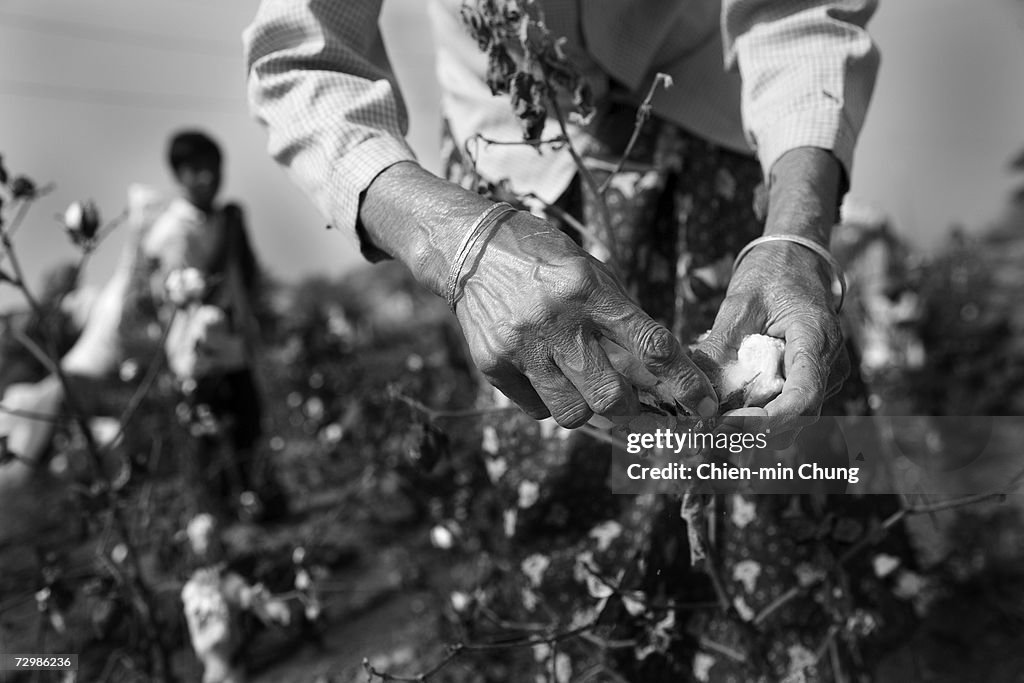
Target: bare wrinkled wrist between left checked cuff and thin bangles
{"type": "Point", "coordinates": [420, 221]}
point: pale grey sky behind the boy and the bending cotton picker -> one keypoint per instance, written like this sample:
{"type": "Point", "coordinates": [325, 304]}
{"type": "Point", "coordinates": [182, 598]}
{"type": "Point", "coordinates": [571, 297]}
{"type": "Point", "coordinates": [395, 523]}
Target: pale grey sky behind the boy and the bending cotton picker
{"type": "Point", "coordinates": [91, 90]}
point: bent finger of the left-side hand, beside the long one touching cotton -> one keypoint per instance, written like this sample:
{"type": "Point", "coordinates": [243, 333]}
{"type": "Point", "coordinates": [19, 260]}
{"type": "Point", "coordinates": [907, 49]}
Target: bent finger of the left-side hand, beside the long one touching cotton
{"type": "Point", "coordinates": [589, 369]}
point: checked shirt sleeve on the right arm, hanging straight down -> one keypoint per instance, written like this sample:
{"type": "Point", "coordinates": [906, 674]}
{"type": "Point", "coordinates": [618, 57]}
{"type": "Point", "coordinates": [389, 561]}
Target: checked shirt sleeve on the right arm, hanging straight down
{"type": "Point", "coordinates": [808, 70]}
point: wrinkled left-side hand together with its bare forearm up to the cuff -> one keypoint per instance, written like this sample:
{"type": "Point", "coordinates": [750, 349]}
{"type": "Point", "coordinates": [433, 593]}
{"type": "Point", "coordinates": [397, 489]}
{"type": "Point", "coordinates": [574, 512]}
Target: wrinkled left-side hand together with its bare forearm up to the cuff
{"type": "Point", "coordinates": [535, 308]}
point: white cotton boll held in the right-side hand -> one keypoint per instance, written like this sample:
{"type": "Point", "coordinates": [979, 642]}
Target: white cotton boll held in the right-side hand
{"type": "Point", "coordinates": [757, 372]}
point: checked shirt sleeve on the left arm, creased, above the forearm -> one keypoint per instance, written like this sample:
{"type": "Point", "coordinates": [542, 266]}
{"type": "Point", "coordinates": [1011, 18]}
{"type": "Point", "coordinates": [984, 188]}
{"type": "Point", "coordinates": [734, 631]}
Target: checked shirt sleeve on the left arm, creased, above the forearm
{"type": "Point", "coordinates": [320, 81]}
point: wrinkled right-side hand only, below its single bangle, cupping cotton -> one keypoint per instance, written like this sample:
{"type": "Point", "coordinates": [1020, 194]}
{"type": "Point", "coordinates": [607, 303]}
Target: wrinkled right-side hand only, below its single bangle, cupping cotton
{"type": "Point", "coordinates": [784, 290]}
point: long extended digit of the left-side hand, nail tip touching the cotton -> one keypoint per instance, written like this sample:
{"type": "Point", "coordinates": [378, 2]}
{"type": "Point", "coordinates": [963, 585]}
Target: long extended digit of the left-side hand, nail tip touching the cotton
{"type": "Point", "coordinates": [680, 381]}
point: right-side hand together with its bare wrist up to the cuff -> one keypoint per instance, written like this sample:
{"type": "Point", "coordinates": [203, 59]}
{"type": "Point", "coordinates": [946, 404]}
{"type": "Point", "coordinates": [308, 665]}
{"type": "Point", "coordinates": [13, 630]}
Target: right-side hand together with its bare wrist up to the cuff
{"type": "Point", "coordinates": [785, 290]}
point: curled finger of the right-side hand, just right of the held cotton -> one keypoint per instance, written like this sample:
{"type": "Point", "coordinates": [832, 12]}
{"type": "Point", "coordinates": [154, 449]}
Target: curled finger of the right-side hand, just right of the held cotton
{"type": "Point", "coordinates": [810, 350]}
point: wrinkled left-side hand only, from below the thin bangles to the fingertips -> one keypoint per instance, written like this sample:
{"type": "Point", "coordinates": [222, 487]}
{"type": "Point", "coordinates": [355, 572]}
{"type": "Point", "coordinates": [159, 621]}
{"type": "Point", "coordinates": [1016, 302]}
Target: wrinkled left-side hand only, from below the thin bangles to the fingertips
{"type": "Point", "coordinates": [536, 311]}
